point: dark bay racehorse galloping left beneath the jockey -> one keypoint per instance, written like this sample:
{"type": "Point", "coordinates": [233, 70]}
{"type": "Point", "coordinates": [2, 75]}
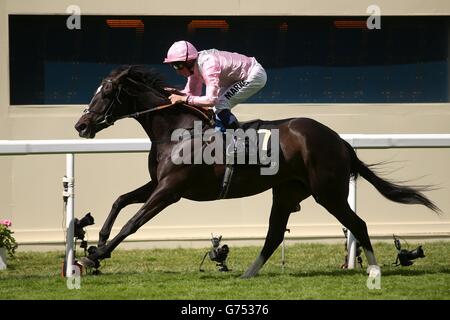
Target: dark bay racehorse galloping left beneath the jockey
{"type": "Point", "coordinates": [313, 161]}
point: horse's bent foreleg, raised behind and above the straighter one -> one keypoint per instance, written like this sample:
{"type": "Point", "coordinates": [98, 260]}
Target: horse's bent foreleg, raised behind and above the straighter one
{"type": "Point", "coordinates": [140, 195]}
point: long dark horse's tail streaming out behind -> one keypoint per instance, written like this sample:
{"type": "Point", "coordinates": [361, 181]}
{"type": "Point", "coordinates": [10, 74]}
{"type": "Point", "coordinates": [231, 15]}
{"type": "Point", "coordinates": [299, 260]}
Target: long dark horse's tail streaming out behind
{"type": "Point", "coordinates": [390, 190]}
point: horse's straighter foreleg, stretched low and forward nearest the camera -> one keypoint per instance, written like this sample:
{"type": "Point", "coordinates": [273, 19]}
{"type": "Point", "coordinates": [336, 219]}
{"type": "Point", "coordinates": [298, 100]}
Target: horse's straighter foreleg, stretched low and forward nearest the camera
{"type": "Point", "coordinates": [158, 201]}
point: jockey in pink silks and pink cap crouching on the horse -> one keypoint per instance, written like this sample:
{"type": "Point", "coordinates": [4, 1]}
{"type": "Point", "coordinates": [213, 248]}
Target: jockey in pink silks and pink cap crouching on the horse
{"type": "Point", "coordinates": [230, 78]}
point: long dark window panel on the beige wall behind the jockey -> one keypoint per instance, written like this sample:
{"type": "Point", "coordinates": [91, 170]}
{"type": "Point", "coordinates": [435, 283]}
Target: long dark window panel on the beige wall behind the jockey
{"type": "Point", "coordinates": [307, 59]}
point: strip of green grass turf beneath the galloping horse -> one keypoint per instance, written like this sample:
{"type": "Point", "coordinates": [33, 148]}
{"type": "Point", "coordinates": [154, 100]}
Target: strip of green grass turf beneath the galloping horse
{"type": "Point", "coordinates": [312, 272]}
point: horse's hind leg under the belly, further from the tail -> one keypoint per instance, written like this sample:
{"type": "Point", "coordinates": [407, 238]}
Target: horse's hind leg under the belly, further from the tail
{"type": "Point", "coordinates": [285, 200]}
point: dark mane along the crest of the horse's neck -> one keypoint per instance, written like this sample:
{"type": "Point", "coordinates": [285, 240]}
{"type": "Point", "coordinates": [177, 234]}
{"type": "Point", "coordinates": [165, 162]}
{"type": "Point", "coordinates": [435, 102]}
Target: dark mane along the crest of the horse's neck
{"type": "Point", "coordinates": [143, 74]}
